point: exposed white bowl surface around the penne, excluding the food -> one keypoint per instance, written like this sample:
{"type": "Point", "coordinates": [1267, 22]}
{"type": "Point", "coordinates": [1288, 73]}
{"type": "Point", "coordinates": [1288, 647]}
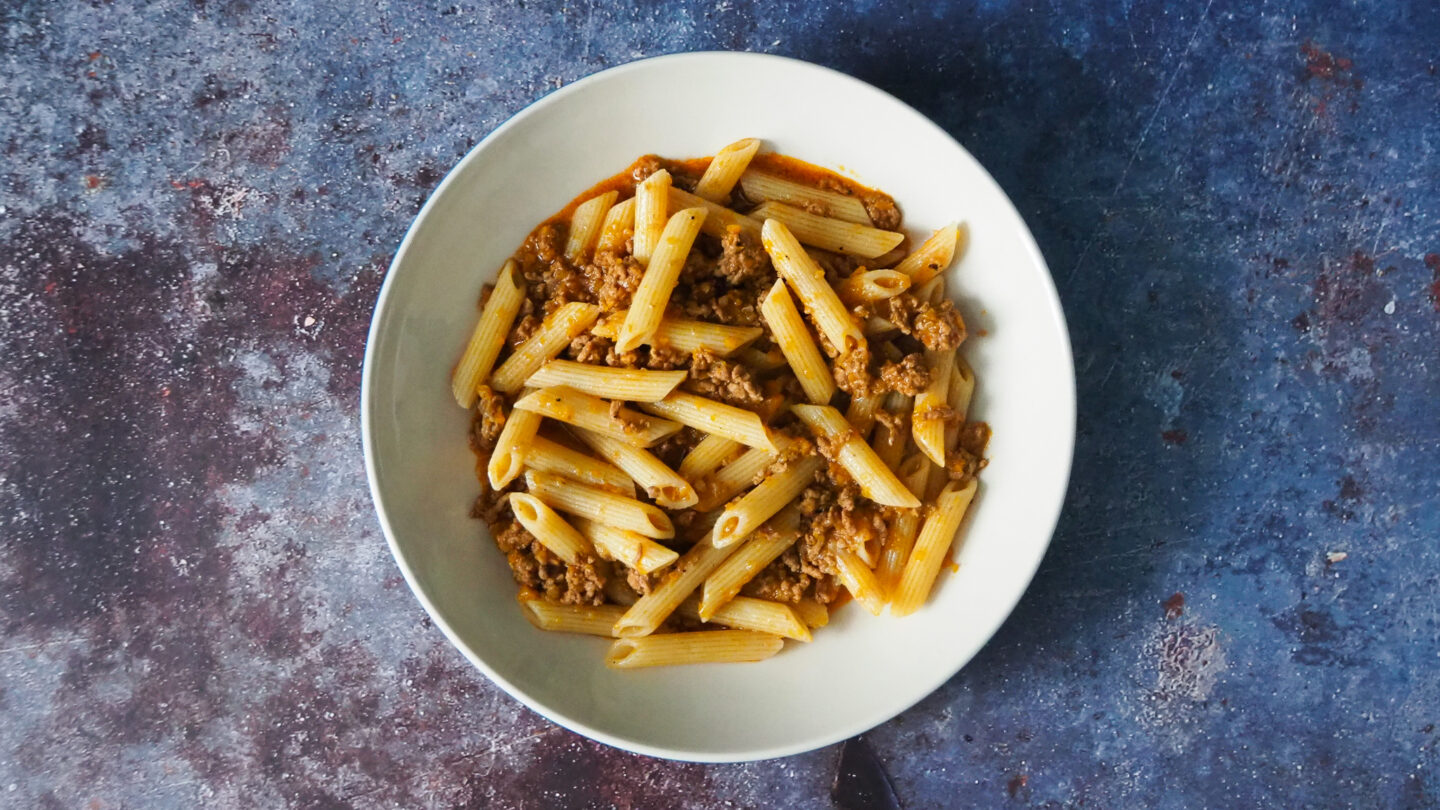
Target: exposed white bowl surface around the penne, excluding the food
{"type": "Point", "coordinates": [862, 669]}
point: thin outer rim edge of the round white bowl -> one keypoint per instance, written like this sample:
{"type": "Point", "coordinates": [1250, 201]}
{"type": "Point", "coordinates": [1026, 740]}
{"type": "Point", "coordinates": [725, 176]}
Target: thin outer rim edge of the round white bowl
{"type": "Point", "coordinates": [845, 731]}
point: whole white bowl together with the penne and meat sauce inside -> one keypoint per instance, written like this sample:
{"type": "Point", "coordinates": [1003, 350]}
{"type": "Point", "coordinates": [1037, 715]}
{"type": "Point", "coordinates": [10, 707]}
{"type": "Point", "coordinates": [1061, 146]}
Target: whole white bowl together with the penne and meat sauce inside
{"type": "Point", "coordinates": [683, 482]}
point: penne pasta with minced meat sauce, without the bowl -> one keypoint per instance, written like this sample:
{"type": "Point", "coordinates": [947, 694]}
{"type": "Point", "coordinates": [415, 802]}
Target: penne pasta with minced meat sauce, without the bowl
{"type": "Point", "coordinates": [722, 394]}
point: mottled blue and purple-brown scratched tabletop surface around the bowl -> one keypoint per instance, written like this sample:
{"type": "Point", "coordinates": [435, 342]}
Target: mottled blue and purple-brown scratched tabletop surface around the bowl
{"type": "Point", "coordinates": [198, 202]}
